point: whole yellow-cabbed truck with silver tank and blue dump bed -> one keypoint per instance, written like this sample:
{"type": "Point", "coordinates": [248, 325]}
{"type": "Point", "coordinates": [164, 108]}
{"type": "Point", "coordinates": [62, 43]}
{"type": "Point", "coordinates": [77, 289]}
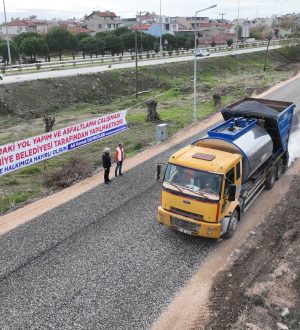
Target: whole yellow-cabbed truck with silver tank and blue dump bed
{"type": "Point", "coordinates": [208, 185]}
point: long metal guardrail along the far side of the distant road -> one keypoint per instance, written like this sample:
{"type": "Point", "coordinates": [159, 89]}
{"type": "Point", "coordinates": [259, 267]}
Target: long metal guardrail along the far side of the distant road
{"type": "Point", "coordinates": [80, 62]}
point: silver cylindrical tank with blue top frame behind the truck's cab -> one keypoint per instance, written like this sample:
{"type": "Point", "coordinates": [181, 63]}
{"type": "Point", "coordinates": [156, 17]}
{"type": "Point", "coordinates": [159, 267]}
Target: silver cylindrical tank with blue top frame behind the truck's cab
{"type": "Point", "coordinates": [241, 136]}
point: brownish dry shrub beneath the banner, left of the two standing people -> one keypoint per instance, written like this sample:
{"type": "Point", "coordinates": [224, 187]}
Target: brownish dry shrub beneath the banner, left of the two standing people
{"type": "Point", "coordinates": [75, 168]}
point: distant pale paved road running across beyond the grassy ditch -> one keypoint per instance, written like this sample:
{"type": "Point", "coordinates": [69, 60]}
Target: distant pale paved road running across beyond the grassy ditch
{"type": "Point", "coordinates": [100, 68]}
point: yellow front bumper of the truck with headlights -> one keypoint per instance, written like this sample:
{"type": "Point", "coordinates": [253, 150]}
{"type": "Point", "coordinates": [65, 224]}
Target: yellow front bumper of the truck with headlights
{"type": "Point", "coordinates": [187, 225]}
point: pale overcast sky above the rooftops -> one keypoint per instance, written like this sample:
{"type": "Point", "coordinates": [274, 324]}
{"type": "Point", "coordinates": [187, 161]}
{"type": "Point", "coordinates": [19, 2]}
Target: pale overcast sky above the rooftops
{"type": "Point", "coordinates": [128, 8]}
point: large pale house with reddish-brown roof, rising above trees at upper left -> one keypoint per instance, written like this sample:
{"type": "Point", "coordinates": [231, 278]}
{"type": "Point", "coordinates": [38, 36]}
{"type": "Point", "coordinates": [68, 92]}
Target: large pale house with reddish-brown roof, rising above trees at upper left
{"type": "Point", "coordinates": [100, 21]}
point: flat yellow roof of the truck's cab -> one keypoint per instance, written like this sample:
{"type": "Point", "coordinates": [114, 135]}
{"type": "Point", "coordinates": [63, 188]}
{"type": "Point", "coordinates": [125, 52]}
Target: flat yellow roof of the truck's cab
{"type": "Point", "coordinates": [219, 164]}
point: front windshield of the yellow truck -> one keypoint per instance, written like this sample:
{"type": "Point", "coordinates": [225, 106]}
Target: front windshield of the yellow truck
{"type": "Point", "coordinates": [195, 181]}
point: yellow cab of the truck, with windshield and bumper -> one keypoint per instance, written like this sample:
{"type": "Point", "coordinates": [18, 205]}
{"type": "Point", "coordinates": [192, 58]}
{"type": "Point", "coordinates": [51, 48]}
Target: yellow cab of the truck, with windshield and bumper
{"type": "Point", "coordinates": [199, 191]}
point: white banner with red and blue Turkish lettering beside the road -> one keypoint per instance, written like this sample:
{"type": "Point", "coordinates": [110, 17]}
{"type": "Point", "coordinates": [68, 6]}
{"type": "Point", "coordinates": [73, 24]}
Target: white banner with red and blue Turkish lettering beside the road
{"type": "Point", "coordinates": [15, 155]}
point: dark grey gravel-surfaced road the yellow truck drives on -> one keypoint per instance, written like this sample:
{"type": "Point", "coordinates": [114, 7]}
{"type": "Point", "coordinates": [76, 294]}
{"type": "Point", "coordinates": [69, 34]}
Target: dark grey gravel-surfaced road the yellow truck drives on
{"type": "Point", "coordinates": [100, 261]}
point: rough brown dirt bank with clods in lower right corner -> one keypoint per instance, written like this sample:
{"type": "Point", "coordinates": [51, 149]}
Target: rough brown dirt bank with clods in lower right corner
{"type": "Point", "coordinates": [263, 278]}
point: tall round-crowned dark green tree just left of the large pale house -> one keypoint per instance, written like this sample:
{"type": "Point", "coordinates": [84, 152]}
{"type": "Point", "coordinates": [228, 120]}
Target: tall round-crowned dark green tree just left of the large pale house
{"type": "Point", "coordinates": [59, 40]}
